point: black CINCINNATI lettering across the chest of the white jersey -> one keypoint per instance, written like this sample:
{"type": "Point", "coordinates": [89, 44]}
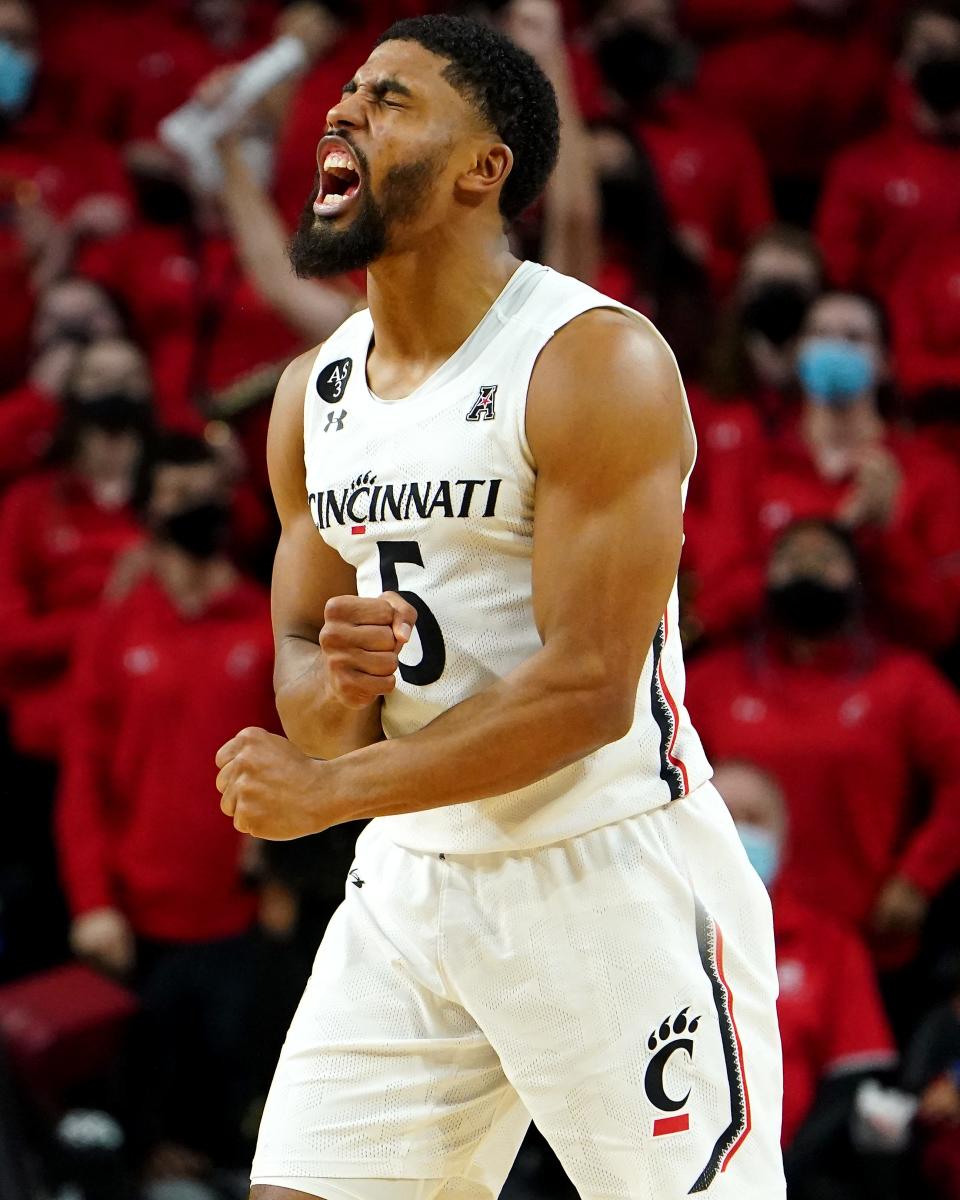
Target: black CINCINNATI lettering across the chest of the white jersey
{"type": "Point", "coordinates": [368, 502]}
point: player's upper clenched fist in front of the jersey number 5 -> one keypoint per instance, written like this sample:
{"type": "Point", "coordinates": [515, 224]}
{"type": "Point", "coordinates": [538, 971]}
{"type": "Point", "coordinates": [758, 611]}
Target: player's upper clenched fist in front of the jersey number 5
{"type": "Point", "coordinates": [362, 640]}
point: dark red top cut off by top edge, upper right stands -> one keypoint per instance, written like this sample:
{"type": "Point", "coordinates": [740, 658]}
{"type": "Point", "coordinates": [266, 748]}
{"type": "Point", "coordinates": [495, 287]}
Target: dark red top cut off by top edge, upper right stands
{"type": "Point", "coordinates": [802, 86]}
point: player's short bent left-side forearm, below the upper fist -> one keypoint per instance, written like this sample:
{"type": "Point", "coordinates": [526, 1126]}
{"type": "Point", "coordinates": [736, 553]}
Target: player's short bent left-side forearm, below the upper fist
{"type": "Point", "coordinates": [311, 717]}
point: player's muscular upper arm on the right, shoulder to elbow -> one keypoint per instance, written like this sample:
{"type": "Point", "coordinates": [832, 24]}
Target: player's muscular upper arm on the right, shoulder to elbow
{"type": "Point", "coordinates": [611, 454]}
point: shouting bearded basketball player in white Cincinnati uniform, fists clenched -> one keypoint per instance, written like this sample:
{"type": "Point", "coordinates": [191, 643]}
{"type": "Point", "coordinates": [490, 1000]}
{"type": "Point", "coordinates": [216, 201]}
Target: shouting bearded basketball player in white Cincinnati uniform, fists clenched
{"type": "Point", "coordinates": [481, 481]}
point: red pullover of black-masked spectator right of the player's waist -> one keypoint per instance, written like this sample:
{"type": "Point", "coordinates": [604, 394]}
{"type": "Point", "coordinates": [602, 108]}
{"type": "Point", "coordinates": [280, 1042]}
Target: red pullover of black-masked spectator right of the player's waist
{"type": "Point", "coordinates": [850, 736]}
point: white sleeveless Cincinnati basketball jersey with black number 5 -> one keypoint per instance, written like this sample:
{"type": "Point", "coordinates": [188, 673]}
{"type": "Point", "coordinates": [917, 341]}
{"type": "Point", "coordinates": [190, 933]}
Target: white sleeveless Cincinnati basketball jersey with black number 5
{"type": "Point", "coordinates": [433, 496]}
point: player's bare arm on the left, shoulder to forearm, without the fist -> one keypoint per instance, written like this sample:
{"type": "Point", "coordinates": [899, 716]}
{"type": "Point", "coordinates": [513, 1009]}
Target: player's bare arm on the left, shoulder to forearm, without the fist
{"type": "Point", "coordinates": [307, 577]}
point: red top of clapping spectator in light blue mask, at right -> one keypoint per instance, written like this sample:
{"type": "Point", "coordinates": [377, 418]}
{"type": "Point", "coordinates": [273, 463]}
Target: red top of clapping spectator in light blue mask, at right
{"type": "Point", "coordinates": [913, 567]}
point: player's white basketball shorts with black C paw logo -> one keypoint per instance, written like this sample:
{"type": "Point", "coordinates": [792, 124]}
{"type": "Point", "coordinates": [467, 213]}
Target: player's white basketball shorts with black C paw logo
{"type": "Point", "coordinates": [620, 988]}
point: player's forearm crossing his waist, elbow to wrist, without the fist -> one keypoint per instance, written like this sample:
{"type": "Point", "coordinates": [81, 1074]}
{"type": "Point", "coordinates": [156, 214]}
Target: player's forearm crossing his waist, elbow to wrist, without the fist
{"type": "Point", "coordinates": [544, 717]}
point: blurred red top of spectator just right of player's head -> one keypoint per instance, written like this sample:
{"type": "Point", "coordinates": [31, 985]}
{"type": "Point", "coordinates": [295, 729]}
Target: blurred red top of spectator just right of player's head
{"type": "Point", "coordinates": [712, 178]}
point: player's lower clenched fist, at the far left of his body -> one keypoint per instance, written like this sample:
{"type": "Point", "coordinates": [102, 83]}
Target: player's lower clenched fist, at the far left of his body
{"type": "Point", "coordinates": [269, 788]}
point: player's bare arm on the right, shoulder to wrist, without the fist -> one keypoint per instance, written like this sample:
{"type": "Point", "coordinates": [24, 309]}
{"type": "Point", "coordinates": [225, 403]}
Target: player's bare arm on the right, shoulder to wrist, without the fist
{"type": "Point", "coordinates": [607, 427]}
